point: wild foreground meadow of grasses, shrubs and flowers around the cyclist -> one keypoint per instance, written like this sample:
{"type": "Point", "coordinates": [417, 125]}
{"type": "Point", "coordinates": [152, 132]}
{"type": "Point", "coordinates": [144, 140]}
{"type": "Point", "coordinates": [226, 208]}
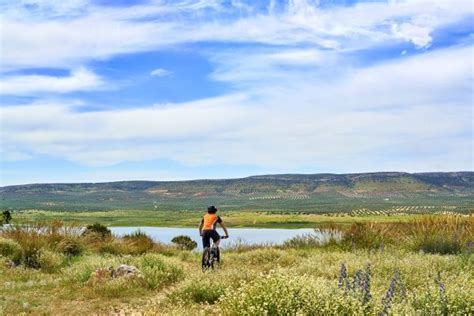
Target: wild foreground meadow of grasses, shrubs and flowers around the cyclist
{"type": "Point", "coordinates": [421, 266]}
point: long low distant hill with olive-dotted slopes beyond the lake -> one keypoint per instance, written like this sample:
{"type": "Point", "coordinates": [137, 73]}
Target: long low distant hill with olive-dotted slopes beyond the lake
{"type": "Point", "coordinates": [310, 192]}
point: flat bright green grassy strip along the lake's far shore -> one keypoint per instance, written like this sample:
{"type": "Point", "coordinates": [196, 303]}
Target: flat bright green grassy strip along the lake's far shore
{"type": "Point", "coordinates": [262, 219]}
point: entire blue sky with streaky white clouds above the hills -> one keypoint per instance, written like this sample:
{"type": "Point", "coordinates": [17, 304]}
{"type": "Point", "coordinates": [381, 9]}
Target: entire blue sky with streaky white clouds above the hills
{"type": "Point", "coordinates": [165, 90]}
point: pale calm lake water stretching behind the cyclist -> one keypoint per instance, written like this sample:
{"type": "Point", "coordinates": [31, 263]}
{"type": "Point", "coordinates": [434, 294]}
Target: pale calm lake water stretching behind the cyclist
{"type": "Point", "coordinates": [248, 235]}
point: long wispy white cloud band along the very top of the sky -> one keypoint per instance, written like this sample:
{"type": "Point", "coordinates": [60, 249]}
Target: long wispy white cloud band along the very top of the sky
{"type": "Point", "coordinates": [40, 41]}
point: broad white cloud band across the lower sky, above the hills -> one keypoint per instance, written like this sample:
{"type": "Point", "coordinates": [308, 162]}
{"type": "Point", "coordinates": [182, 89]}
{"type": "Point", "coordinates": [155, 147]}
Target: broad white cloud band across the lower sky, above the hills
{"type": "Point", "coordinates": [368, 119]}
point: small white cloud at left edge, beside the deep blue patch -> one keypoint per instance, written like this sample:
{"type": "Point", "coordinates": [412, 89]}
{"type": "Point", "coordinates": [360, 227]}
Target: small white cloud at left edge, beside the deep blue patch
{"type": "Point", "coordinates": [79, 80]}
